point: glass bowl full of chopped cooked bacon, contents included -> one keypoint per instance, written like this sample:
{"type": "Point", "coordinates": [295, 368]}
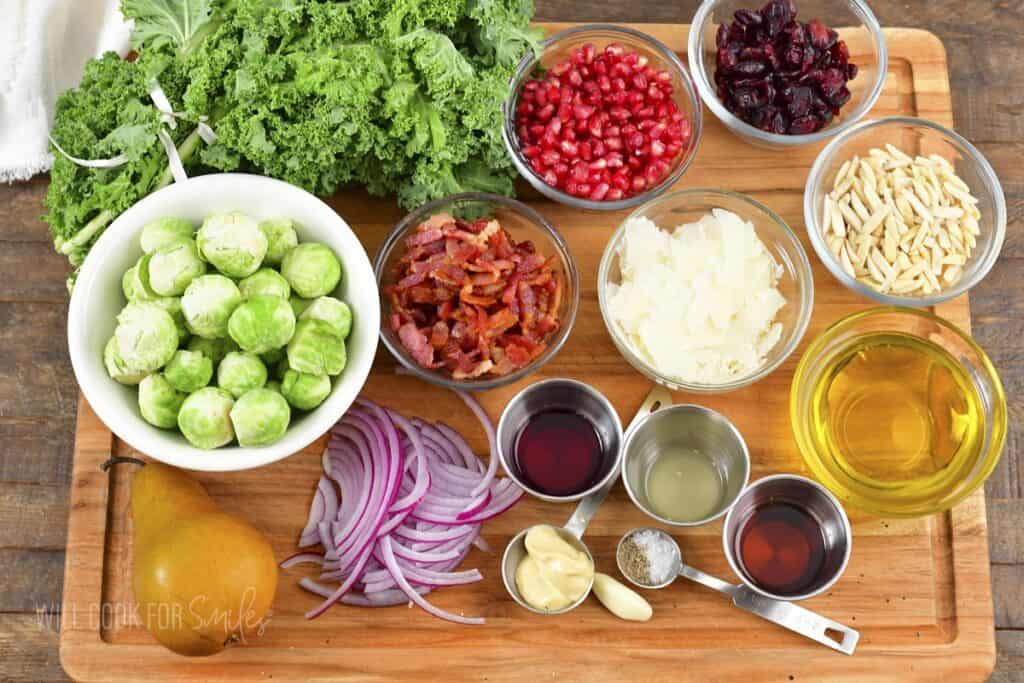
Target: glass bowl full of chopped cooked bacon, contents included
{"type": "Point", "coordinates": [478, 291]}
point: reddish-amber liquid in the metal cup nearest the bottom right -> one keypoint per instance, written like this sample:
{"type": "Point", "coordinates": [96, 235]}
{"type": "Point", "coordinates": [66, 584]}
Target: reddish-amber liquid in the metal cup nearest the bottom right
{"type": "Point", "coordinates": [783, 548]}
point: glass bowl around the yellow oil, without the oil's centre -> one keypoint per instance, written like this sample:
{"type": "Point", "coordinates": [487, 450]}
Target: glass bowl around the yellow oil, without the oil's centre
{"type": "Point", "coordinates": [892, 497]}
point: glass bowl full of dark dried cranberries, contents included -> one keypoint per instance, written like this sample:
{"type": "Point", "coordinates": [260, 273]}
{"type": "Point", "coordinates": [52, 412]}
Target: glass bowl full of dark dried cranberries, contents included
{"type": "Point", "coordinates": [788, 73]}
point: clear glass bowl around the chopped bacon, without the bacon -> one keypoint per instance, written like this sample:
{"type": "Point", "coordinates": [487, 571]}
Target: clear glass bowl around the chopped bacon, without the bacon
{"type": "Point", "coordinates": [523, 224]}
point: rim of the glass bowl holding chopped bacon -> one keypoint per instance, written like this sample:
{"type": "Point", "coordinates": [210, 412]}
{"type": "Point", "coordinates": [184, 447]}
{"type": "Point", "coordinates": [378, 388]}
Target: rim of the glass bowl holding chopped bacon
{"type": "Point", "coordinates": [573, 276]}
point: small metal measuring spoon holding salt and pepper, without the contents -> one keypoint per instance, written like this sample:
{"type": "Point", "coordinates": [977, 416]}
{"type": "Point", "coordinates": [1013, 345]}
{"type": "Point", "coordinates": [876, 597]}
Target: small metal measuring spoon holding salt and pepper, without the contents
{"type": "Point", "coordinates": [787, 615]}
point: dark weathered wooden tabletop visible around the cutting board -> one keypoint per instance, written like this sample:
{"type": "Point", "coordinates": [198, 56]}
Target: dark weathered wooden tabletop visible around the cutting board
{"type": "Point", "coordinates": [986, 64]}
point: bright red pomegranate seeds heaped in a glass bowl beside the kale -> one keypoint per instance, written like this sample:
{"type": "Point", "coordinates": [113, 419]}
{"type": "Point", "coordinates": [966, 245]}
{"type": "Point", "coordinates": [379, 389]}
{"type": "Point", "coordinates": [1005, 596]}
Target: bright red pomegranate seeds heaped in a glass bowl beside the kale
{"type": "Point", "coordinates": [606, 118]}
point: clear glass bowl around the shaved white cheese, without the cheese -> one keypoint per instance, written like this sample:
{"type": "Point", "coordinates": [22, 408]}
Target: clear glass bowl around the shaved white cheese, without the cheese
{"type": "Point", "coordinates": [796, 285]}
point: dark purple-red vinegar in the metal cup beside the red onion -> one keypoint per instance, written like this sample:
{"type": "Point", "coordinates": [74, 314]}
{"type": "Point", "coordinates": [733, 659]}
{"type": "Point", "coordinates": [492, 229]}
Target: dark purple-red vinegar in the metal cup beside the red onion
{"type": "Point", "coordinates": [559, 453]}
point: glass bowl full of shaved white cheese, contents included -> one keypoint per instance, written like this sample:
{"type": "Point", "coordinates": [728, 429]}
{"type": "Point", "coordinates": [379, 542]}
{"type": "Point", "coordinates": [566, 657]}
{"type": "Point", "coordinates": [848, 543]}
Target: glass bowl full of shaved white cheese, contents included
{"type": "Point", "coordinates": [705, 290]}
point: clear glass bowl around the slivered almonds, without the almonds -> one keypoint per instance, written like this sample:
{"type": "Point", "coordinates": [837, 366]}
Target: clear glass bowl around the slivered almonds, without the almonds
{"type": "Point", "coordinates": [913, 137]}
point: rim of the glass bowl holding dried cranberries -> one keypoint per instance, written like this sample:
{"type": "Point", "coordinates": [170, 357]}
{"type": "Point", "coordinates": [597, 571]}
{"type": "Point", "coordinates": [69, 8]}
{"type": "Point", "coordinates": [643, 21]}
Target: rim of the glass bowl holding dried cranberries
{"type": "Point", "coordinates": [734, 122]}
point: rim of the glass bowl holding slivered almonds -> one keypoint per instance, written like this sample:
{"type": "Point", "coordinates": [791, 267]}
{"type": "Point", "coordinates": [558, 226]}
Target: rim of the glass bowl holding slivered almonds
{"type": "Point", "coordinates": [815, 232]}
